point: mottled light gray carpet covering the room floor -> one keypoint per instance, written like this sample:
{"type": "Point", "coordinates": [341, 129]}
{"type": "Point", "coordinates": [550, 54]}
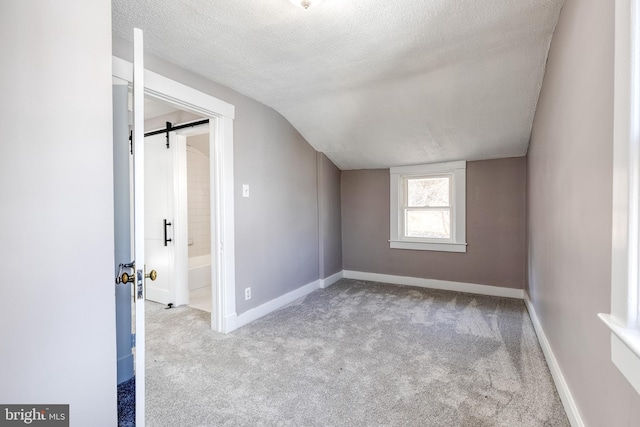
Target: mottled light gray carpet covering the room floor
{"type": "Point", "coordinates": [355, 354]}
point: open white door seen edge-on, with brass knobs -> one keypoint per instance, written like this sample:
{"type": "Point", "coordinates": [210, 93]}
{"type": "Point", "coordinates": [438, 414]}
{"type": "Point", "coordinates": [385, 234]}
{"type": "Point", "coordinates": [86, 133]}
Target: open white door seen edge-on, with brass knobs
{"type": "Point", "coordinates": [138, 221]}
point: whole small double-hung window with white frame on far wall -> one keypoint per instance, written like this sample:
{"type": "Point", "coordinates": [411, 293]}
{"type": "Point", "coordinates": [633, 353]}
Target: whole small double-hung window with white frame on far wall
{"type": "Point", "coordinates": [427, 205]}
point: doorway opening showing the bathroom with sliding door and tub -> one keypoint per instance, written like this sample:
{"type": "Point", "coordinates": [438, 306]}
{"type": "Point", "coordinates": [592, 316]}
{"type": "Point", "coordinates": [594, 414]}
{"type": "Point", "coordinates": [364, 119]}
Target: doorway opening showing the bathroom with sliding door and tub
{"type": "Point", "coordinates": [178, 206]}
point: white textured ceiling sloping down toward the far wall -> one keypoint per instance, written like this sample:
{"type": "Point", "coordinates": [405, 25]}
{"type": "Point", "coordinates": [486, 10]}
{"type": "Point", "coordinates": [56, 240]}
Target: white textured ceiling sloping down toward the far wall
{"type": "Point", "coordinates": [371, 84]}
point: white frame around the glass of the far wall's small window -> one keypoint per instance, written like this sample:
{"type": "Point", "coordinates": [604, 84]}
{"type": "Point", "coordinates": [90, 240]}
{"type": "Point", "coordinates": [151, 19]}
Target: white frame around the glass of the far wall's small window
{"type": "Point", "coordinates": [457, 172]}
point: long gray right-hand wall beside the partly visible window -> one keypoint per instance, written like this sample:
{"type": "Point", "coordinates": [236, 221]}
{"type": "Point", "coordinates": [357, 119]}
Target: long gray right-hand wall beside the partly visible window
{"type": "Point", "coordinates": [569, 213]}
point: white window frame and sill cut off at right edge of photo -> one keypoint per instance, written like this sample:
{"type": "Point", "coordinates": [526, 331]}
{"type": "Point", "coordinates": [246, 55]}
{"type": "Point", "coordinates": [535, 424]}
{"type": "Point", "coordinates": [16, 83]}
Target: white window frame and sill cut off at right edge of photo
{"type": "Point", "coordinates": [625, 262]}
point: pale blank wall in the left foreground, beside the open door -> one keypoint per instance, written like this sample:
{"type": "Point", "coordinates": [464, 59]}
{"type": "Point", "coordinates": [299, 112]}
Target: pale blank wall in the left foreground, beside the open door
{"type": "Point", "coordinates": [56, 186]}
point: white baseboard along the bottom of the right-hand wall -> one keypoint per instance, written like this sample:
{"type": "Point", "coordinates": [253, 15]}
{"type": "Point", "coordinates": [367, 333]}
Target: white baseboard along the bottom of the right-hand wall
{"type": "Point", "coordinates": [561, 385]}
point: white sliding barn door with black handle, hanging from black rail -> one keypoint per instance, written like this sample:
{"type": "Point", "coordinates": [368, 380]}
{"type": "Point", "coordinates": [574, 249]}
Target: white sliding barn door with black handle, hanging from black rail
{"type": "Point", "coordinates": [159, 217]}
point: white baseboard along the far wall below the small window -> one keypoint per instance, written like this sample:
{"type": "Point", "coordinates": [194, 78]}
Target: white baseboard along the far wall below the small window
{"type": "Point", "coordinates": [470, 288]}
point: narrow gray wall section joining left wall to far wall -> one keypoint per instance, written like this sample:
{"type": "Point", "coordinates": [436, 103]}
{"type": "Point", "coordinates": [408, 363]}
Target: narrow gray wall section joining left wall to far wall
{"type": "Point", "coordinates": [330, 217]}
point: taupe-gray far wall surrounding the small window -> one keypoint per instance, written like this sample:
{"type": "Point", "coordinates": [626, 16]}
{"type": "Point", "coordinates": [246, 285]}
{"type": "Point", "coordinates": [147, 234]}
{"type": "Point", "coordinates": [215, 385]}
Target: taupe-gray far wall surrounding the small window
{"type": "Point", "coordinates": [495, 228]}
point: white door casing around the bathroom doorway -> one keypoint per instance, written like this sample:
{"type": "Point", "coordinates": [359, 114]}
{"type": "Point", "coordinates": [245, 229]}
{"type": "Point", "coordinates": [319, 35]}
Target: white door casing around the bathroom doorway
{"type": "Point", "coordinates": [221, 116]}
